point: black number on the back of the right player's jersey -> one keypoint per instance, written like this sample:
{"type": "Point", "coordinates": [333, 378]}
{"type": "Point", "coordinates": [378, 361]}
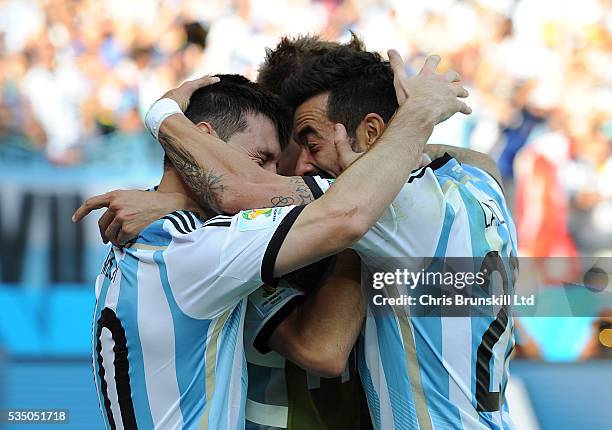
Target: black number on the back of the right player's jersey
{"type": "Point", "coordinates": [491, 401]}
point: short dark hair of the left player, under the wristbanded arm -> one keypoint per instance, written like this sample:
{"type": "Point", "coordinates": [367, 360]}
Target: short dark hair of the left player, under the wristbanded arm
{"type": "Point", "coordinates": [225, 105]}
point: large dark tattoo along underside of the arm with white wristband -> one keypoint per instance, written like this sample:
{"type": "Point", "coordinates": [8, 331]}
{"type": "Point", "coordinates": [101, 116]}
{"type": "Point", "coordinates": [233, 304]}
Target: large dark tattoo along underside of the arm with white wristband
{"type": "Point", "coordinates": [206, 184]}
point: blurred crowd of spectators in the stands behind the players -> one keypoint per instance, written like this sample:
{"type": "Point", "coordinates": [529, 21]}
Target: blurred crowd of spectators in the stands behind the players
{"type": "Point", "coordinates": [540, 76]}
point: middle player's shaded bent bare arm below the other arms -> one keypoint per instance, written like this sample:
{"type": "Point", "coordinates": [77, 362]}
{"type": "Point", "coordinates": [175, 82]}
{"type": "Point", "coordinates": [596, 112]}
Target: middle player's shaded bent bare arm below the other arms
{"type": "Point", "coordinates": [319, 334]}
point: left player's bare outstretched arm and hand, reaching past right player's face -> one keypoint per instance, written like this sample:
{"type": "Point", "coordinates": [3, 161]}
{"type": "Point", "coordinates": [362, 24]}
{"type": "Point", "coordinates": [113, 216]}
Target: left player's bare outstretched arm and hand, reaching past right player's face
{"type": "Point", "coordinates": [364, 191]}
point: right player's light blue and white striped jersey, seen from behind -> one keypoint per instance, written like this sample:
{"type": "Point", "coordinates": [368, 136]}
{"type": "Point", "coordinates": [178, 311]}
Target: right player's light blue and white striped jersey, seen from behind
{"type": "Point", "coordinates": [439, 372]}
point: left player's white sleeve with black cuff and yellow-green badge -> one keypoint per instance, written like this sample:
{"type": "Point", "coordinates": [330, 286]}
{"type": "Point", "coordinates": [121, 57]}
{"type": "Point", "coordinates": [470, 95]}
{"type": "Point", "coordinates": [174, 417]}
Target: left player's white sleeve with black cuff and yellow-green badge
{"type": "Point", "coordinates": [213, 267]}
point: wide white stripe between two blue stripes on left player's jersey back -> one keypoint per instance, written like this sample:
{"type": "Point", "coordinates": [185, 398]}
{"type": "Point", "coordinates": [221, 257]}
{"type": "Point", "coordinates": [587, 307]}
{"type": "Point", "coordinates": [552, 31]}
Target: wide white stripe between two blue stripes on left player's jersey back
{"type": "Point", "coordinates": [160, 374]}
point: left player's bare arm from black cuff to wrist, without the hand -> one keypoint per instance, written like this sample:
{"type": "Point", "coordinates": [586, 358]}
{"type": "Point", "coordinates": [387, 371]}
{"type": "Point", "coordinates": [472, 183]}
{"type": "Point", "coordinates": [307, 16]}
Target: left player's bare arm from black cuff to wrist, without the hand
{"type": "Point", "coordinates": [359, 196]}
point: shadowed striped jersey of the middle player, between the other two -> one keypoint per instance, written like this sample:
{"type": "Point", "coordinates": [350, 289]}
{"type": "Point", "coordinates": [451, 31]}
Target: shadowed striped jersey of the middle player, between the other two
{"type": "Point", "coordinates": [282, 395]}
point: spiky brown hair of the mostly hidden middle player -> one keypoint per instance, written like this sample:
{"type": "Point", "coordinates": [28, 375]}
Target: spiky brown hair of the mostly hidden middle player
{"type": "Point", "coordinates": [290, 55]}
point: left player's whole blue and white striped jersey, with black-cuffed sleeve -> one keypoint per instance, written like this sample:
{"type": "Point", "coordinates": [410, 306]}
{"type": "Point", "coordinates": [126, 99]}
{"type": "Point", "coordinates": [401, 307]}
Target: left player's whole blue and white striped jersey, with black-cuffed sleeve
{"type": "Point", "coordinates": [168, 325]}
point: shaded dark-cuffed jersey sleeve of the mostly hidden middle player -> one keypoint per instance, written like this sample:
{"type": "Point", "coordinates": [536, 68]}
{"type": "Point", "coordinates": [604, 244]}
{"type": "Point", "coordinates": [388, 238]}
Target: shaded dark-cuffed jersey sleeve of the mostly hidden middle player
{"type": "Point", "coordinates": [267, 307]}
